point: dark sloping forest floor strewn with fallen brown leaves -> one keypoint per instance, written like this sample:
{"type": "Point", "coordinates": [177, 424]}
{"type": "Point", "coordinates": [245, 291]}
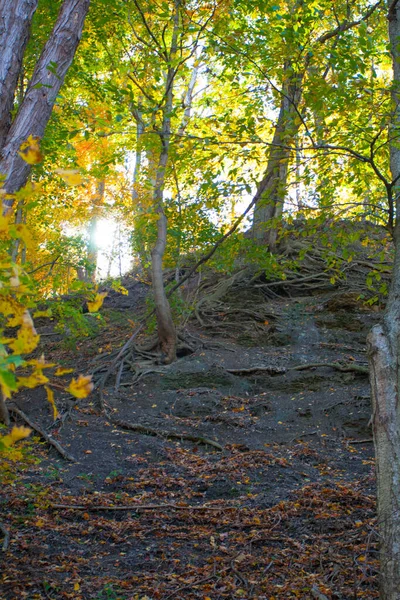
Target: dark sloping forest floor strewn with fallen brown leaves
{"type": "Point", "coordinates": [272, 498]}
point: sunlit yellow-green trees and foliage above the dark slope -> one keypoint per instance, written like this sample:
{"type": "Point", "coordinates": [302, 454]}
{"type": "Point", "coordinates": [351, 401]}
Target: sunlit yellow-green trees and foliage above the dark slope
{"type": "Point", "coordinates": [184, 130]}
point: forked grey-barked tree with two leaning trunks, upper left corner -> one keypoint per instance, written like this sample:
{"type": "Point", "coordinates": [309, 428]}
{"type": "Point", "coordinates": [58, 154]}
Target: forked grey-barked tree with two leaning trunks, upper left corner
{"type": "Point", "coordinates": [48, 76]}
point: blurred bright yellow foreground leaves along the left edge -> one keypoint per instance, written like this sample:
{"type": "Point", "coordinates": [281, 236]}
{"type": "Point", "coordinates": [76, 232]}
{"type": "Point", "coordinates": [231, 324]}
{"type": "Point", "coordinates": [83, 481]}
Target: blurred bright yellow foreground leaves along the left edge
{"type": "Point", "coordinates": [16, 320]}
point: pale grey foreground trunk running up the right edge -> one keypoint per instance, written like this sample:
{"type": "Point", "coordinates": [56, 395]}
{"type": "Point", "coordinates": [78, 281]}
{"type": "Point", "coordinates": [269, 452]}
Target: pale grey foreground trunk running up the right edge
{"type": "Point", "coordinates": [384, 359]}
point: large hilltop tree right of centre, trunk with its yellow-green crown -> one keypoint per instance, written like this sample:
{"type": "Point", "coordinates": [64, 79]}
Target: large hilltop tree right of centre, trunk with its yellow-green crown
{"type": "Point", "coordinates": [305, 37]}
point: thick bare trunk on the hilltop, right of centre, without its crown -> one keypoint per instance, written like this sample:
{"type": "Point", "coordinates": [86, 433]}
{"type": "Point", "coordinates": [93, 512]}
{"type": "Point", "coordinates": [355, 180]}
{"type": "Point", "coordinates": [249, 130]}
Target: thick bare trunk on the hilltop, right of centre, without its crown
{"type": "Point", "coordinates": [274, 182]}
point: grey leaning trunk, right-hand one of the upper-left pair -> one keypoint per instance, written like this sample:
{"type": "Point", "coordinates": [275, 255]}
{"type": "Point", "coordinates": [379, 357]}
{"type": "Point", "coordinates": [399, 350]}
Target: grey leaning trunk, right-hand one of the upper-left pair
{"type": "Point", "coordinates": [42, 91]}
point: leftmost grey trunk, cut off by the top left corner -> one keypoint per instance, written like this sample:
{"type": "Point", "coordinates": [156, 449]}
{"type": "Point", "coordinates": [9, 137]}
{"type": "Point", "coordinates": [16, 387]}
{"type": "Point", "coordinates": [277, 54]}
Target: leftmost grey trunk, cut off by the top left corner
{"type": "Point", "coordinates": [15, 22]}
